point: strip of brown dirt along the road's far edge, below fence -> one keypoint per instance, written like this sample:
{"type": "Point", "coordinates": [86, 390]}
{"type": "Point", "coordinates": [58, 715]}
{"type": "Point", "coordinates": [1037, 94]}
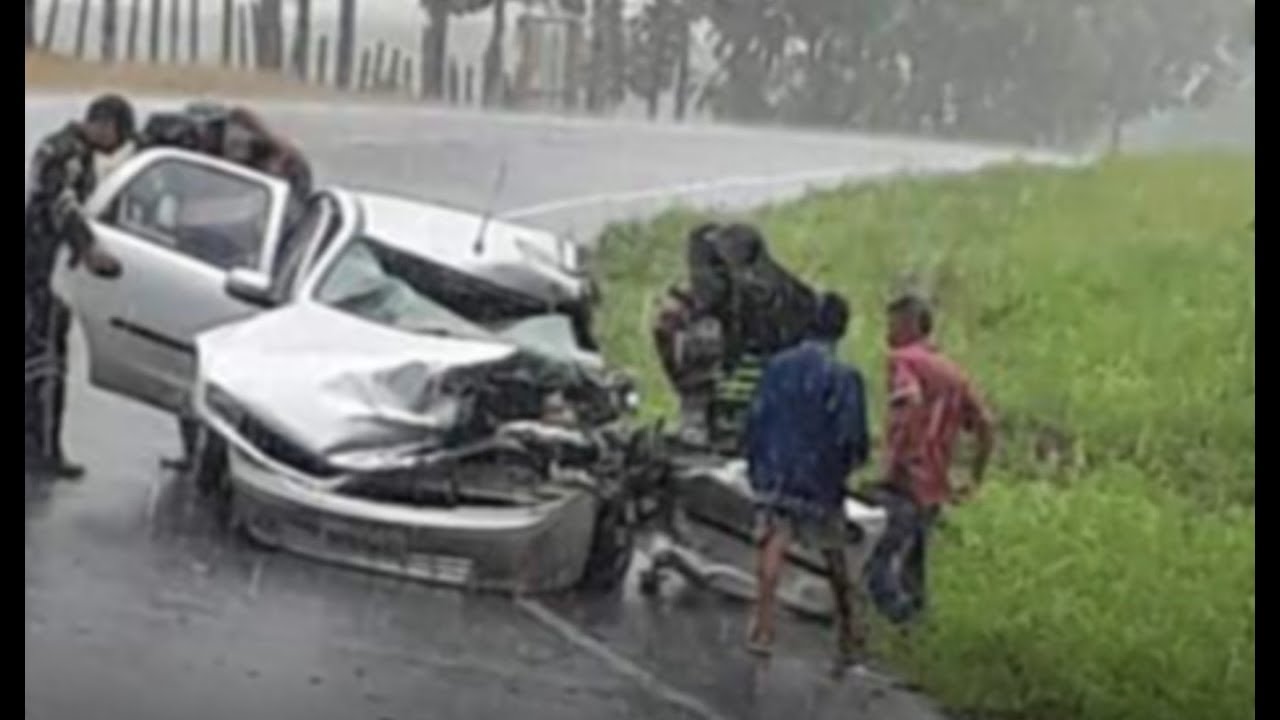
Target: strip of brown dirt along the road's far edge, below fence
{"type": "Point", "coordinates": [58, 74]}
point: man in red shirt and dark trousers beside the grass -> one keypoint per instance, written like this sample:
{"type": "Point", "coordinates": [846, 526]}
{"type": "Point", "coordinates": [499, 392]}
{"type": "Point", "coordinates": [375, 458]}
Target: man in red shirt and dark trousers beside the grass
{"type": "Point", "coordinates": [931, 403]}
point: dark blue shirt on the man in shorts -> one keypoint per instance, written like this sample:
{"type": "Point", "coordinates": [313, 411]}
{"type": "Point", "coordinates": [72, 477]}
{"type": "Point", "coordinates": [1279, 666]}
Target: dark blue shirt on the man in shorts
{"type": "Point", "coordinates": [807, 431]}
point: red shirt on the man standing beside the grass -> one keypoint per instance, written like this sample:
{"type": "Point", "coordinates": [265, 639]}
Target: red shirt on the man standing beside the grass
{"type": "Point", "coordinates": [931, 402]}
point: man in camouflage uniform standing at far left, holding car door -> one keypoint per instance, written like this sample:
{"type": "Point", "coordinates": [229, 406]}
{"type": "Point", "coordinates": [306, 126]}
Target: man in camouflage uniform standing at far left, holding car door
{"type": "Point", "coordinates": [62, 179]}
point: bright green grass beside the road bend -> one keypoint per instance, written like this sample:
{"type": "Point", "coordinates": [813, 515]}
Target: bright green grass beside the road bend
{"type": "Point", "coordinates": [1108, 315]}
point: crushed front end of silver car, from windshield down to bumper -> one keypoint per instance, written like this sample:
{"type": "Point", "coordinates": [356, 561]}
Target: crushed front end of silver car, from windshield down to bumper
{"type": "Point", "coordinates": [374, 427]}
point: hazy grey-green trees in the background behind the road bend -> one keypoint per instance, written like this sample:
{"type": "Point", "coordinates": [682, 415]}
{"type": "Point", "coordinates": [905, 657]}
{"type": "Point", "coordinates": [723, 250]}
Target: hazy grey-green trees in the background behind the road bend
{"type": "Point", "coordinates": [1022, 71]}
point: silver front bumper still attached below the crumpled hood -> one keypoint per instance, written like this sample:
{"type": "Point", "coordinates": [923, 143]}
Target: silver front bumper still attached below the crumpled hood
{"type": "Point", "coordinates": [523, 549]}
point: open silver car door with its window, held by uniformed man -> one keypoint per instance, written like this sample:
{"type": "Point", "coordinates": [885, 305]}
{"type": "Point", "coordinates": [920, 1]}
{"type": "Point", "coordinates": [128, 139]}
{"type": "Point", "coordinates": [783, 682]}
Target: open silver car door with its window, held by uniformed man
{"type": "Point", "coordinates": [179, 224]}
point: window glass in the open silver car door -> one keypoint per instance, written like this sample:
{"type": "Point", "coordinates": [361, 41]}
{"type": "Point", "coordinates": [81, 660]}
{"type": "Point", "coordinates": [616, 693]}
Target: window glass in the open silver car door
{"type": "Point", "coordinates": [199, 212]}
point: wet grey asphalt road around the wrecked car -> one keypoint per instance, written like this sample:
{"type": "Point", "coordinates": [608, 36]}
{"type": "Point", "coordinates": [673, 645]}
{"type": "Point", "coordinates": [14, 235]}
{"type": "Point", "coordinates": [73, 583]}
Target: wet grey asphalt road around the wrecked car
{"type": "Point", "coordinates": [139, 608]}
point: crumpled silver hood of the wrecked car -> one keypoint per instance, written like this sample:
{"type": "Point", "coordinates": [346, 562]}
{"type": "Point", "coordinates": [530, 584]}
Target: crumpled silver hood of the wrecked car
{"type": "Point", "coordinates": [336, 385]}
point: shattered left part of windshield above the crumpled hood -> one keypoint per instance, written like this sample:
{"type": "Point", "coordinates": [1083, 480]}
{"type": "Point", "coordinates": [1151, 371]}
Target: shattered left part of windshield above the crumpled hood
{"type": "Point", "coordinates": [377, 282]}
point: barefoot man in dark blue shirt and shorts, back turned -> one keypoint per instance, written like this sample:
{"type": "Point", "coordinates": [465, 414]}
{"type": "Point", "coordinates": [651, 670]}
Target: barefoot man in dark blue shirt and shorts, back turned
{"type": "Point", "coordinates": [806, 435]}
